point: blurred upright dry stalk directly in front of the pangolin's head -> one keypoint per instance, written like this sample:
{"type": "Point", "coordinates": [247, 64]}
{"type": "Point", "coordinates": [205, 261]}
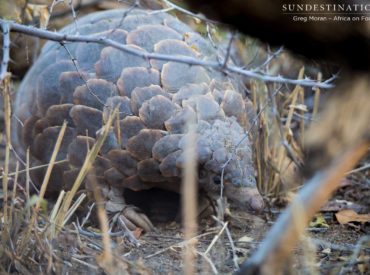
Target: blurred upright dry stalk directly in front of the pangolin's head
{"type": "Point", "coordinates": [189, 200]}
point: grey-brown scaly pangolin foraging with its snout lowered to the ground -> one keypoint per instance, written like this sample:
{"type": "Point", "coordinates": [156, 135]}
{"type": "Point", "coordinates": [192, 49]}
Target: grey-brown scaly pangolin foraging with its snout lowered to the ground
{"type": "Point", "coordinates": [83, 82]}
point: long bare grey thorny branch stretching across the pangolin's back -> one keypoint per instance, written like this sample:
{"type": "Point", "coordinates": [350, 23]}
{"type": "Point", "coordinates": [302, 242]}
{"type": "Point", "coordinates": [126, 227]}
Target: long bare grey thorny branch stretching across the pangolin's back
{"type": "Point", "coordinates": [62, 38]}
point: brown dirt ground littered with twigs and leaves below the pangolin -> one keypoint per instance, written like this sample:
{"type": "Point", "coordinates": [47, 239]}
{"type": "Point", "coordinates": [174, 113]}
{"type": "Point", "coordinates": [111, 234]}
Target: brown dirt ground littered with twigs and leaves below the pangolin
{"type": "Point", "coordinates": [326, 249]}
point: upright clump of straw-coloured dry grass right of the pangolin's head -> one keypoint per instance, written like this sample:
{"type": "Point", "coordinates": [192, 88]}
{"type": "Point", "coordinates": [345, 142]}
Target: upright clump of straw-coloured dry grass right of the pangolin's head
{"type": "Point", "coordinates": [274, 141]}
